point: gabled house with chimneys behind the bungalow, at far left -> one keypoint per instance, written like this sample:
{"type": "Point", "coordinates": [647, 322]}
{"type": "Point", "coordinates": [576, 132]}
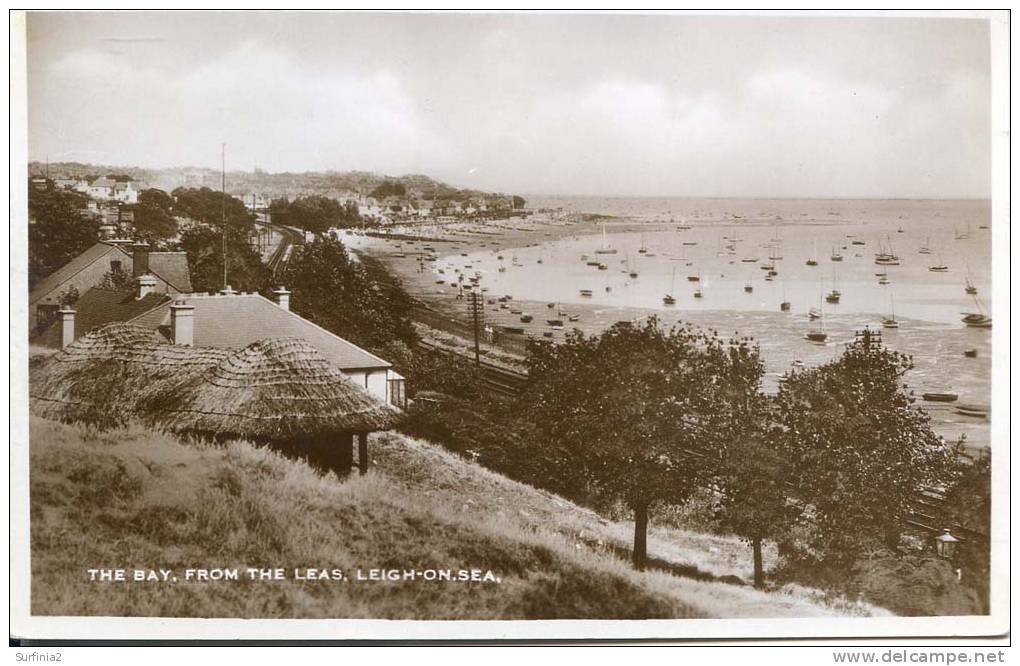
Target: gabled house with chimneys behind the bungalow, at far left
{"type": "Point", "coordinates": [89, 269]}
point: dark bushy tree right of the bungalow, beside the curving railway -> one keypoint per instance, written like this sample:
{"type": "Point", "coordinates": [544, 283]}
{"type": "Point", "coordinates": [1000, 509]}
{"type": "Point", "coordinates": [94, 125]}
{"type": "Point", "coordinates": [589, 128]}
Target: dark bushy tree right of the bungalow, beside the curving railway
{"type": "Point", "coordinates": [355, 300]}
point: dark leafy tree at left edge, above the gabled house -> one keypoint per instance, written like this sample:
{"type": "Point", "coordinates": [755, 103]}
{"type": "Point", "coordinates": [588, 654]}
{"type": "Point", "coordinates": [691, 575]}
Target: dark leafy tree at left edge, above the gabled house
{"type": "Point", "coordinates": [58, 231]}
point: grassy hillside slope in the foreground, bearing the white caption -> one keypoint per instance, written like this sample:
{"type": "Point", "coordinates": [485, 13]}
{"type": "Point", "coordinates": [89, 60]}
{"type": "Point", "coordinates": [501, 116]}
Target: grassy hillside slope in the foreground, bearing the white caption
{"type": "Point", "coordinates": [137, 499]}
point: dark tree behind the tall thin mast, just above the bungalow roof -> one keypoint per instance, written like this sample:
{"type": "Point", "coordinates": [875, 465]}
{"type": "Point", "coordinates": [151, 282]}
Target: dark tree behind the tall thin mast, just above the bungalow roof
{"type": "Point", "coordinates": [205, 245]}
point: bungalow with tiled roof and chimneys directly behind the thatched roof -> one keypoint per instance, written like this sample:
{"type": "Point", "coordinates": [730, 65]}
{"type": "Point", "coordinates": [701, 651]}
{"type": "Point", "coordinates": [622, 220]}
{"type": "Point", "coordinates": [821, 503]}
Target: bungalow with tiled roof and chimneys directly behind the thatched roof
{"type": "Point", "coordinates": [225, 321]}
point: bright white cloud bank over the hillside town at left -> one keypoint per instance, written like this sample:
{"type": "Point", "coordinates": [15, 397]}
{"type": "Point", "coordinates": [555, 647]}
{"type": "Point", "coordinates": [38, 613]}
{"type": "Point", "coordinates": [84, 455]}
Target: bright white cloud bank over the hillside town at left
{"type": "Point", "coordinates": [260, 100]}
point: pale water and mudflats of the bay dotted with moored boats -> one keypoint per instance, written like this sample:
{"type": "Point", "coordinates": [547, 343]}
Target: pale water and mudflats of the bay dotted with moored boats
{"type": "Point", "coordinates": [653, 248]}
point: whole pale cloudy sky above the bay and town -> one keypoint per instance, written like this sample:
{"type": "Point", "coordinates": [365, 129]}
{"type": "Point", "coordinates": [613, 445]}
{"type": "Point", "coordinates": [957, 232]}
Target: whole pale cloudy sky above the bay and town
{"type": "Point", "coordinates": [554, 105]}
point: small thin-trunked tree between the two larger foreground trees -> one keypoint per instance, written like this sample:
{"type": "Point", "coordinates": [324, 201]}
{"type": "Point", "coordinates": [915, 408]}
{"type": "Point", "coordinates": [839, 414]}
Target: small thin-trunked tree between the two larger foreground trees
{"type": "Point", "coordinates": [754, 504]}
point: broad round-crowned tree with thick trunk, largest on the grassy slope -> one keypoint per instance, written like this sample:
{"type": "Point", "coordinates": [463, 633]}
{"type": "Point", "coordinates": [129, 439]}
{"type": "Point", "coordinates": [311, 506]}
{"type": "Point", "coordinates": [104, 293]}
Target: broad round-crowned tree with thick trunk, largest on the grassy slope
{"type": "Point", "coordinates": [642, 413]}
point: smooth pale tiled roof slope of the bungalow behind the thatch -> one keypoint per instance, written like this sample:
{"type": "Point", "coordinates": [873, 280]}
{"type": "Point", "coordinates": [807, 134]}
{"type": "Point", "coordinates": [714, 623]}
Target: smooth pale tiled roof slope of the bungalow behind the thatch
{"type": "Point", "coordinates": [236, 322]}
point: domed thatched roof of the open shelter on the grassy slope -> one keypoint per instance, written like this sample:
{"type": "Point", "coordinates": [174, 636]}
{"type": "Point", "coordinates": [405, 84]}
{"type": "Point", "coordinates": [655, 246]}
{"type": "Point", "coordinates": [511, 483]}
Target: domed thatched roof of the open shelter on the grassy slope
{"type": "Point", "coordinates": [275, 389]}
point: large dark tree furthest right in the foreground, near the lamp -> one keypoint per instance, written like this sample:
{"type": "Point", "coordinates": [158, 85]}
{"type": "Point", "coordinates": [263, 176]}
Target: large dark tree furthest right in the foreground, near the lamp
{"type": "Point", "coordinates": [859, 451]}
